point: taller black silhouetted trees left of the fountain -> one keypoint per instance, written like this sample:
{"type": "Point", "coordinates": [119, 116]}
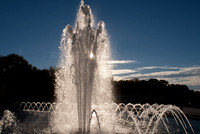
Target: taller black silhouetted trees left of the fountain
{"type": "Point", "coordinates": [20, 81]}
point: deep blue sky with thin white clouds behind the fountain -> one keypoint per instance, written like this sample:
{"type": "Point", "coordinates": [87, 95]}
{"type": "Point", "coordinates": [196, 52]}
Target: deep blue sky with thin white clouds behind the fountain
{"type": "Point", "coordinates": [149, 38]}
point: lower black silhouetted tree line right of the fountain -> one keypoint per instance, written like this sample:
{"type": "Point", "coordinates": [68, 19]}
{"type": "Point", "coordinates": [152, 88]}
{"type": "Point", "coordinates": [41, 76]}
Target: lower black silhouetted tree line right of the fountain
{"type": "Point", "coordinates": [154, 91]}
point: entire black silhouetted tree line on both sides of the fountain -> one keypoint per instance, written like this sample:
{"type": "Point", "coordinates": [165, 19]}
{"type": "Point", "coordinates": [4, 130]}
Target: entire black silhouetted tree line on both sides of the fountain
{"type": "Point", "coordinates": [22, 82]}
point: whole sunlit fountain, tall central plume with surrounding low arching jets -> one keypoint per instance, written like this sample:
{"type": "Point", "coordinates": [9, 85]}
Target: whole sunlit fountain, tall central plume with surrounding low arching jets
{"type": "Point", "coordinates": [84, 101]}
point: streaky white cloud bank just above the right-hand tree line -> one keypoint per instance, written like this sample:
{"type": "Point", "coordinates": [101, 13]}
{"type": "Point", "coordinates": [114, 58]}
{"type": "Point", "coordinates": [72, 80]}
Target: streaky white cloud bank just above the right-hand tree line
{"type": "Point", "coordinates": [176, 75]}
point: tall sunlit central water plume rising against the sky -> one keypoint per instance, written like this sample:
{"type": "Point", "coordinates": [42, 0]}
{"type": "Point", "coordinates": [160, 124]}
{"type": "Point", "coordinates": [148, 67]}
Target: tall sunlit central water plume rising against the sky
{"type": "Point", "coordinates": [83, 75]}
